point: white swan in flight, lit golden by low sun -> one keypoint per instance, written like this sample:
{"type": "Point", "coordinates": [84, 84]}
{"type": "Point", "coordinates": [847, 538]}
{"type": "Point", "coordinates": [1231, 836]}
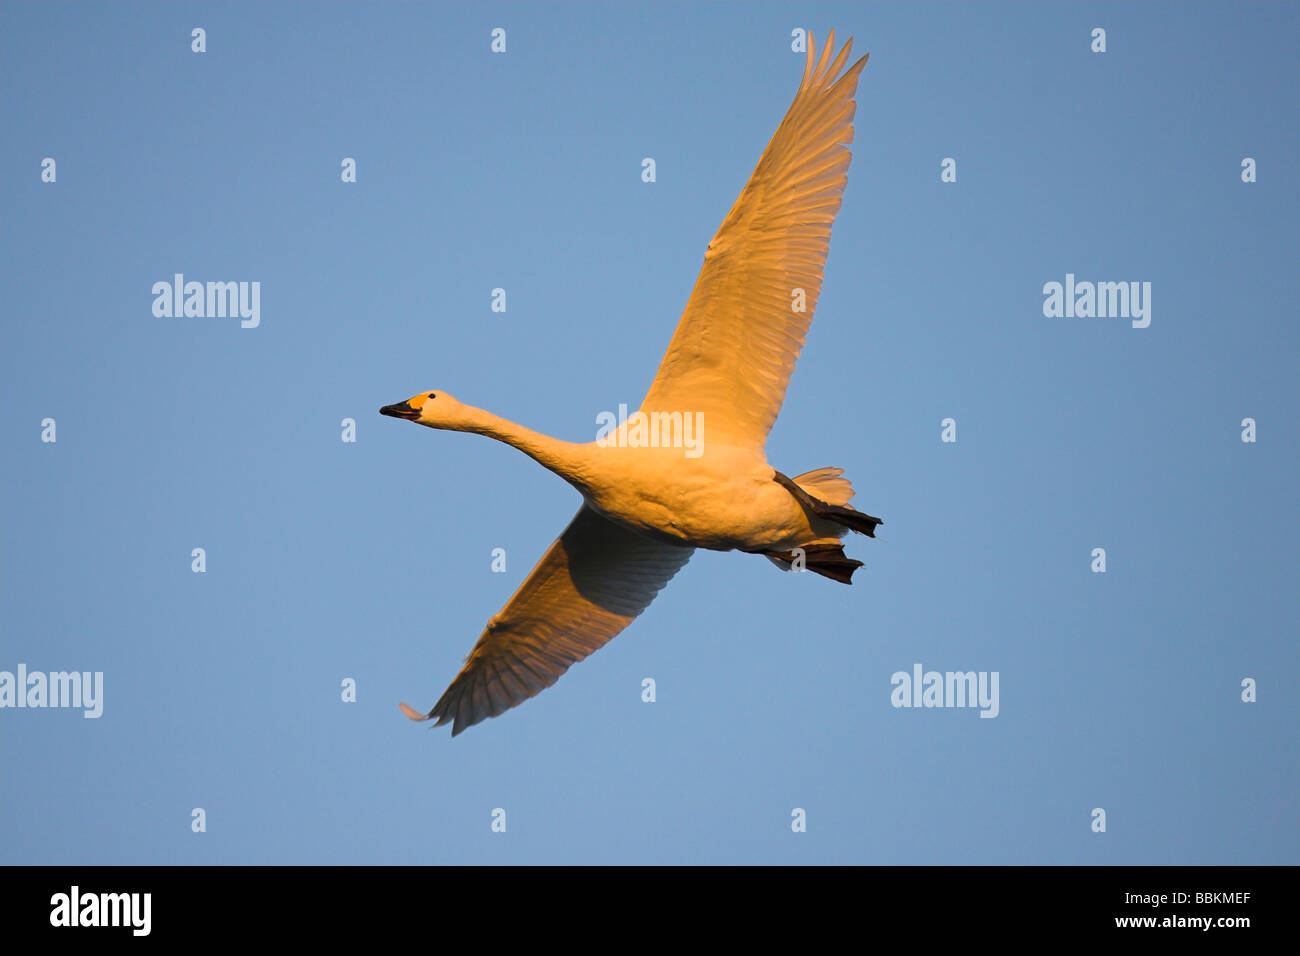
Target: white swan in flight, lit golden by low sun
{"type": "Point", "coordinates": [648, 505]}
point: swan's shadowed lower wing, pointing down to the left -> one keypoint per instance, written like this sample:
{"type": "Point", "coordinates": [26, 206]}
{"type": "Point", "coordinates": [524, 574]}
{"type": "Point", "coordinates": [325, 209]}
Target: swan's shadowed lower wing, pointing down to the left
{"type": "Point", "coordinates": [592, 583]}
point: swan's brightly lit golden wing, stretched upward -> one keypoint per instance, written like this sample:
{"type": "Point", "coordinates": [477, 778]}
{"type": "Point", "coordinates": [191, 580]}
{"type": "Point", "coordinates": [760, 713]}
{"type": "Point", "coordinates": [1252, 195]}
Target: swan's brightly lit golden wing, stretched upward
{"type": "Point", "coordinates": [735, 348]}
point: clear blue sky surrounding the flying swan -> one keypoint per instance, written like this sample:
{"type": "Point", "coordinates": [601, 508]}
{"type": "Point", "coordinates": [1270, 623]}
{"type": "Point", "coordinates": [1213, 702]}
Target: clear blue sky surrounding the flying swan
{"type": "Point", "coordinates": [523, 171]}
